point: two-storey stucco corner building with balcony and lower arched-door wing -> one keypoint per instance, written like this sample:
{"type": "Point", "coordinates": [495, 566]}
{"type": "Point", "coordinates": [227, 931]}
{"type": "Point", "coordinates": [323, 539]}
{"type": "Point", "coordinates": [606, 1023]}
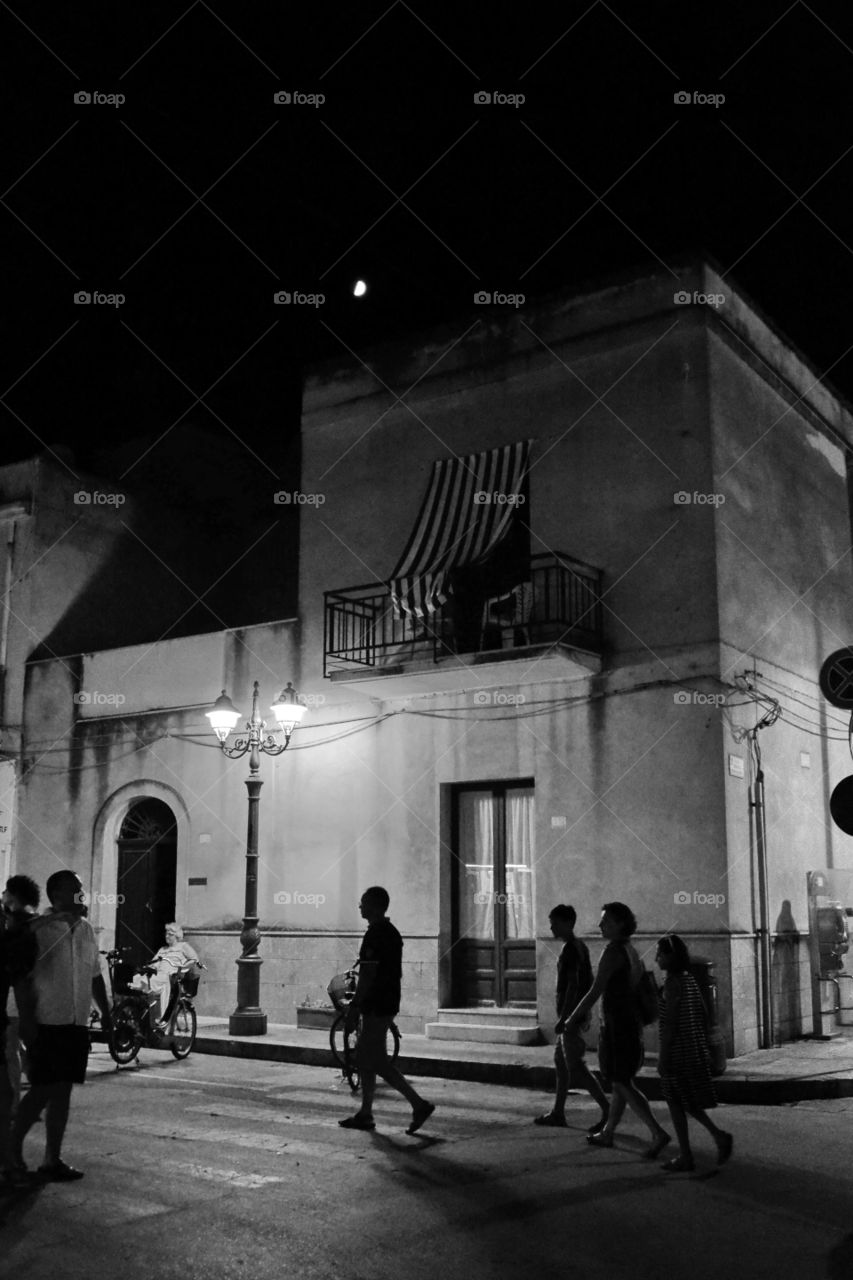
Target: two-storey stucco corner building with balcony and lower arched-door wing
{"type": "Point", "coordinates": [555, 566]}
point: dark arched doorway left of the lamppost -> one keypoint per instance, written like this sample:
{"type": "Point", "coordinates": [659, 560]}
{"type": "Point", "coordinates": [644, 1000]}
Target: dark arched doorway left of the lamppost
{"type": "Point", "coordinates": [147, 879]}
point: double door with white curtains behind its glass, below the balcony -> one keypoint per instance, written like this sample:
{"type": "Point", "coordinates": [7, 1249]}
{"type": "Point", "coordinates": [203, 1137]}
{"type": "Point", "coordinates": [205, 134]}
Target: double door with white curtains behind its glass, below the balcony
{"type": "Point", "coordinates": [494, 856]}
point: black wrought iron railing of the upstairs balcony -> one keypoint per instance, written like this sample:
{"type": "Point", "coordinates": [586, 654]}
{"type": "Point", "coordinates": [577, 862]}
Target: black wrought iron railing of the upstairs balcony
{"type": "Point", "coordinates": [559, 604]}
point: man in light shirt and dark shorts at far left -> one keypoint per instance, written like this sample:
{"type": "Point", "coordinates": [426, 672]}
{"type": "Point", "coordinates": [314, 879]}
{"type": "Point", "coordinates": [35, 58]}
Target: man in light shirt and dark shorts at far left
{"type": "Point", "coordinates": [54, 1020]}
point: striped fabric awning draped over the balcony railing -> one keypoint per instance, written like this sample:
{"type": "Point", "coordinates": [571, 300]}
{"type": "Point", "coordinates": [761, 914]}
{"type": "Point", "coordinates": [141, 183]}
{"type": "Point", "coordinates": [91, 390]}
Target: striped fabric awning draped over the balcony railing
{"type": "Point", "coordinates": [469, 509]}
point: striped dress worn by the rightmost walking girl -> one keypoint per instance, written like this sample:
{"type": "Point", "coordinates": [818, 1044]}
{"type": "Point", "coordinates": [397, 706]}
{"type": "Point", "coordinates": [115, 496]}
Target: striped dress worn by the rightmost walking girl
{"type": "Point", "coordinates": [688, 1080]}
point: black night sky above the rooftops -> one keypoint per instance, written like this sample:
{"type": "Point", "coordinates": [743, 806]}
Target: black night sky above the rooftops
{"type": "Point", "coordinates": [199, 198]}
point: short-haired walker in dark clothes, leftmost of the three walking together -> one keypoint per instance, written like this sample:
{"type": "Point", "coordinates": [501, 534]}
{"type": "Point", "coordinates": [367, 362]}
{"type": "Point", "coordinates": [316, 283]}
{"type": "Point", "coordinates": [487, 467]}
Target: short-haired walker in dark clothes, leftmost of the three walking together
{"type": "Point", "coordinates": [574, 980]}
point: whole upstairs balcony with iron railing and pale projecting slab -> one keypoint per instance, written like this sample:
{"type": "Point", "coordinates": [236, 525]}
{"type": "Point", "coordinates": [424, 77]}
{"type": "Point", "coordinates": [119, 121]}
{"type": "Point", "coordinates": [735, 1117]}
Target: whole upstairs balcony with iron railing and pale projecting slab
{"type": "Point", "coordinates": [549, 625]}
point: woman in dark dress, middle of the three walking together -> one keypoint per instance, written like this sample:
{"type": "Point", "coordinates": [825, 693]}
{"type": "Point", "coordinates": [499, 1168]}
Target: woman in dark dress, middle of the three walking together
{"type": "Point", "coordinates": [621, 1048]}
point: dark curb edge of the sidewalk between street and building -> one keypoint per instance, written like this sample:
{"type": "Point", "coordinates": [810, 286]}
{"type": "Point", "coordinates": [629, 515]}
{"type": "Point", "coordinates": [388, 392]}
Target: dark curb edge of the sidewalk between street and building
{"type": "Point", "coordinates": [731, 1090]}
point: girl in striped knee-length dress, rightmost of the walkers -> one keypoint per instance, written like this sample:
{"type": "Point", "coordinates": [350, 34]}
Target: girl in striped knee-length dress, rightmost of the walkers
{"type": "Point", "coordinates": [683, 1062]}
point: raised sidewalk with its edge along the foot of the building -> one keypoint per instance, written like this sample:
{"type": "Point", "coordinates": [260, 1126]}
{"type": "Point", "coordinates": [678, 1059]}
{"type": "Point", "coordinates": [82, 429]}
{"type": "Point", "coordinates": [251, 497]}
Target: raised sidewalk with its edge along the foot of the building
{"type": "Point", "coordinates": [793, 1073]}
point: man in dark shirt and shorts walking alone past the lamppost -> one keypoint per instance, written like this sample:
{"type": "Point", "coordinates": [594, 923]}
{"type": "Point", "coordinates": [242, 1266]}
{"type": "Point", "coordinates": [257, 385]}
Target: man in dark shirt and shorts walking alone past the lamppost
{"type": "Point", "coordinates": [377, 1003]}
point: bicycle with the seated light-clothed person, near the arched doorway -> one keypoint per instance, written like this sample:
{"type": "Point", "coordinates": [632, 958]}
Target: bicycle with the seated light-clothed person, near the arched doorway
{"type": "Point", "coordinates": [133, 1026]}
